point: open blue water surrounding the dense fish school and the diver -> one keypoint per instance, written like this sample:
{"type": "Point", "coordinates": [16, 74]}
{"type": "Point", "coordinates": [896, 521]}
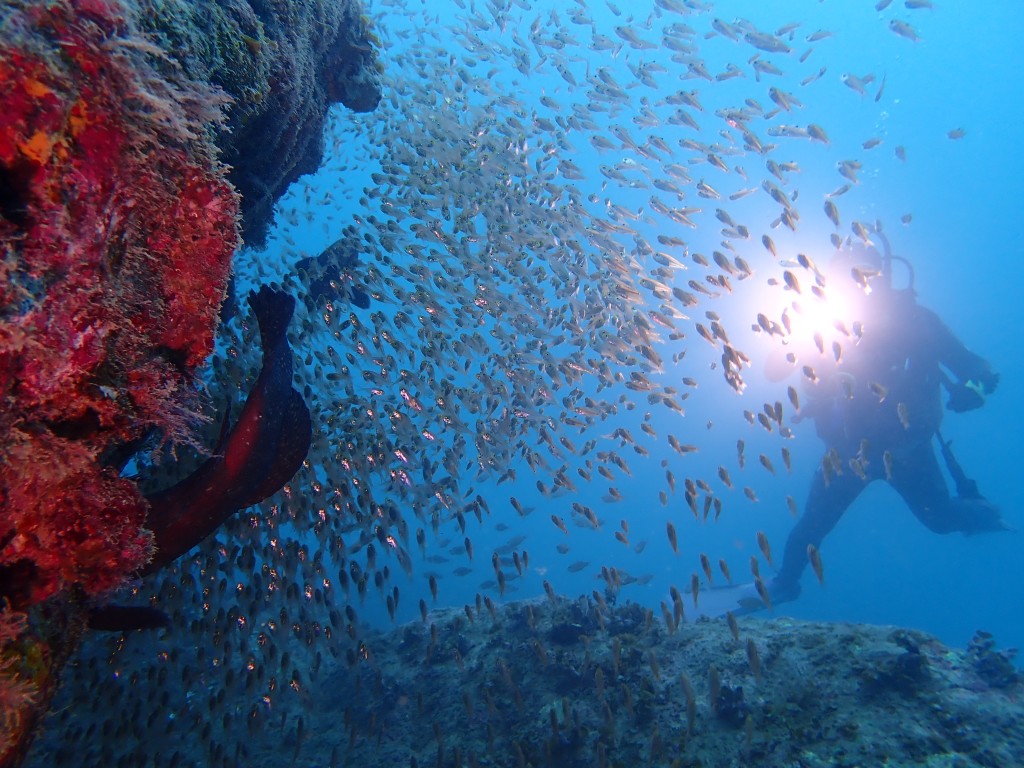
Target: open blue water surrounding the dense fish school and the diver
{"type": "Point", "coordinates": [881, 565]}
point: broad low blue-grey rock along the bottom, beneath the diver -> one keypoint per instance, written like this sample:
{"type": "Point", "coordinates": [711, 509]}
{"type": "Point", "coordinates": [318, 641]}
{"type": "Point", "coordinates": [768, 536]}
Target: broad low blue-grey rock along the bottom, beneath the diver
{"type": "Point", "coordinates": [514, 688]}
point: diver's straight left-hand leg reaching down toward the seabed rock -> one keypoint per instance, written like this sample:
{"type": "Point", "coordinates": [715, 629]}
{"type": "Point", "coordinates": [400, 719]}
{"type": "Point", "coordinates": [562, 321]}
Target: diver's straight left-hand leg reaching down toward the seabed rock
{"type": "Point", "coordinates": [826, 505]}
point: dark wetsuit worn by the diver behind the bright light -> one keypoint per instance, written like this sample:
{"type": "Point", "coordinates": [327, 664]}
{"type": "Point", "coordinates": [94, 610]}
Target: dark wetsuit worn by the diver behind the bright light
{"type": "Point", "coordinates": [882, 406]}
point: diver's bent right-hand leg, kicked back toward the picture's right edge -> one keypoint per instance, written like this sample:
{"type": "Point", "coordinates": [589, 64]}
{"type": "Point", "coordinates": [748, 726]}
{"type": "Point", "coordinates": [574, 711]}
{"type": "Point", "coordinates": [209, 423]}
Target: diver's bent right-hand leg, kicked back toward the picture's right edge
{"type": "Point", "coordinates": [919, 480]}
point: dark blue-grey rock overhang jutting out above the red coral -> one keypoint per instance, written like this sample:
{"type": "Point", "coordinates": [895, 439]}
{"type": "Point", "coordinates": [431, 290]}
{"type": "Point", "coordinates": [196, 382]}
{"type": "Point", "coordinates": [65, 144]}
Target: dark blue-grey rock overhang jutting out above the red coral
{"type": "Point", "coordinates": [283, 63]}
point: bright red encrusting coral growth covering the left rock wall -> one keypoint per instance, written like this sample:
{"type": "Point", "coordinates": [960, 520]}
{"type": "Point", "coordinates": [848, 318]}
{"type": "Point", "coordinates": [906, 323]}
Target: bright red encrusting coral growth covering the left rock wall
{"type": "Point", "coordinates": [117, 230]}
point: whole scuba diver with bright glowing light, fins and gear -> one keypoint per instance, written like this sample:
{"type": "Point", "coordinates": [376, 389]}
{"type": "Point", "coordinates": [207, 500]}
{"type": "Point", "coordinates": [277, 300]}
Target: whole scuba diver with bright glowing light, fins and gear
{"type": "Point", "coordinates": [875, 396]}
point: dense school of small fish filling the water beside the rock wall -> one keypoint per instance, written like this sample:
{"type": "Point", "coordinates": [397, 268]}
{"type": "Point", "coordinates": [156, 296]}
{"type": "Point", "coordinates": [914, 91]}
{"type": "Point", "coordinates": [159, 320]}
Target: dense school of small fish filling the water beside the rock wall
{"type": "Point", "coordinates": [539, 325]}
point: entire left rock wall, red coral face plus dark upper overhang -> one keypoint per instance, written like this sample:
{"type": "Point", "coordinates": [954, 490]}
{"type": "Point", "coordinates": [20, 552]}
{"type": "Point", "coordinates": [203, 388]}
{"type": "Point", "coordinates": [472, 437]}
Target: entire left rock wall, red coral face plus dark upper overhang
{"type": "Point", "coordinates": [118, 226]}
